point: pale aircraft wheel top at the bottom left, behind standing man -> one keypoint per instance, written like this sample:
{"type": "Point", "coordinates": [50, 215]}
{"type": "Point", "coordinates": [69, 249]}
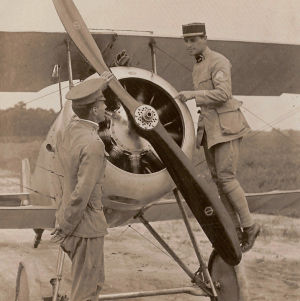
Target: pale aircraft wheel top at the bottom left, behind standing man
{"type": "Point", "coordinates": [28, 284]}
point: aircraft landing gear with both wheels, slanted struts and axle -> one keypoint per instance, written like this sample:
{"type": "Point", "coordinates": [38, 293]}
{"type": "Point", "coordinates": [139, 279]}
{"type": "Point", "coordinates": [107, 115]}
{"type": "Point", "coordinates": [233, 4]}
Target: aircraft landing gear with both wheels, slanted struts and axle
{"type": "Point", "coordinates": [218, 282]}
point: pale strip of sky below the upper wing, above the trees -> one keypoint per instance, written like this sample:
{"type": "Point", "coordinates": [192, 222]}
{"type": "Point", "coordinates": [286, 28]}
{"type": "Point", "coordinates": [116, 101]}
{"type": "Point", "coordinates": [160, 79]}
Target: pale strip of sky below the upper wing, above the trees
{"type": "Point", "coordinates": [282, 112]}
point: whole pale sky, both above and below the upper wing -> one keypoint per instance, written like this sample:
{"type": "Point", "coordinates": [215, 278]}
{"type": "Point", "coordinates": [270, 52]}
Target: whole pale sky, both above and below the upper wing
{"type": "Point", "coordinates": [275, 21]}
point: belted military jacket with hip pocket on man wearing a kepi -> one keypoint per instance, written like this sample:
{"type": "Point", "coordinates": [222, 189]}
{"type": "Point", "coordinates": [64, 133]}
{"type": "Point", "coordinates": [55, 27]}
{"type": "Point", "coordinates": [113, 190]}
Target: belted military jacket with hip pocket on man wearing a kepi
{"type": "Point", "coordinates": [220, 115]}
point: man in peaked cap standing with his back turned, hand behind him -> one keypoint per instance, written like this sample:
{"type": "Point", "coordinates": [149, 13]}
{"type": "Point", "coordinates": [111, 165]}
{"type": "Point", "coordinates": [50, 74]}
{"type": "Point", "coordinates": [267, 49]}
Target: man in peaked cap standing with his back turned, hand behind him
{"type": "Point", "coordinates": [81, 221]}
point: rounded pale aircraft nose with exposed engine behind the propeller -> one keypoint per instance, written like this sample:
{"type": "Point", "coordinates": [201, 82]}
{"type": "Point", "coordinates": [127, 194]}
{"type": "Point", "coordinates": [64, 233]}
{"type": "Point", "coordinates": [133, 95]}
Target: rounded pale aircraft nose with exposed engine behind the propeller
{"type": "Point", "coordinates": [134, 175]}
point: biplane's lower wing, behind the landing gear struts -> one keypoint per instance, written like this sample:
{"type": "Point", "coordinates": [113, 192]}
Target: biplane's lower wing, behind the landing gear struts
{"type": "Point", "coordinates": [14, 216]}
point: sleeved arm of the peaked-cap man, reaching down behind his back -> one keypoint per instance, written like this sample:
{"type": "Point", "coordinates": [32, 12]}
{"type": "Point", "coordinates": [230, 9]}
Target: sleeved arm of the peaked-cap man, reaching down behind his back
{"type": "Point", "coordinates": [91, 164]}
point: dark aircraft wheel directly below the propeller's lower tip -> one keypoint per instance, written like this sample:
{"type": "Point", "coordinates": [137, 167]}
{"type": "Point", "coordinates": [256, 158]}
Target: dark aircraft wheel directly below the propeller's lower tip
{"type": "Point", "coordinates": [224, 278]}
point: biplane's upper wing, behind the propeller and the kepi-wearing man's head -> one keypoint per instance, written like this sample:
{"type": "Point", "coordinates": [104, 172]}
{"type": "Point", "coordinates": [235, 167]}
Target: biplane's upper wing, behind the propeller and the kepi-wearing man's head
{"type": "Point", "coordinates": [27, 60]}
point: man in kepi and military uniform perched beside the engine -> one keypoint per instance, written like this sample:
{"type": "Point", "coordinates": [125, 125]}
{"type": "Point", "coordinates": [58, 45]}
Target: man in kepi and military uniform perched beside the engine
{"type": "Point", "coordinates": [221, 126]}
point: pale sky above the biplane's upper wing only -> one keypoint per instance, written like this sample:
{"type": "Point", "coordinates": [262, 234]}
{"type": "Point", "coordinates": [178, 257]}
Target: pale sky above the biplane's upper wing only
{"type": "Point", "coordinates": [255, 20]}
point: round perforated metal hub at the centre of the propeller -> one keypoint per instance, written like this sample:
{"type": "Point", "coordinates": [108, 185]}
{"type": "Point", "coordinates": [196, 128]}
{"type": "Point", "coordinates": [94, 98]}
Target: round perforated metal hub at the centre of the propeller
{"type": "Point", "coordinates": [146, 117]}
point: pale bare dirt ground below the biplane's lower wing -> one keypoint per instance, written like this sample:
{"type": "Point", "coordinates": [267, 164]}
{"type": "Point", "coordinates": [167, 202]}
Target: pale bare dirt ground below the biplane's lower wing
{"type": "Point", "coordinates": [133, 263]}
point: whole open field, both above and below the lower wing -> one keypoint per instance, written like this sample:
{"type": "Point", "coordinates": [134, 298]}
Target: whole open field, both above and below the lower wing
{"type": "Point", "coordinates": [133, 263]}
